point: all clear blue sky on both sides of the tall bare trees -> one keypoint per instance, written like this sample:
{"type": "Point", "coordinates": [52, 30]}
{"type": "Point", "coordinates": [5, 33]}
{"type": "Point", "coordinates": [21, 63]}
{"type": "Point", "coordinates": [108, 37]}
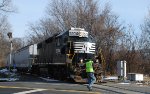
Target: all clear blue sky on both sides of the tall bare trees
{"type": "Point", "coordinates": [30, 11]}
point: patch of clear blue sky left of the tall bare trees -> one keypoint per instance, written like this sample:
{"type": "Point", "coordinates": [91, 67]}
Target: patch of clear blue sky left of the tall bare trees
{"type": "Point", "coordinates": [28, 11]}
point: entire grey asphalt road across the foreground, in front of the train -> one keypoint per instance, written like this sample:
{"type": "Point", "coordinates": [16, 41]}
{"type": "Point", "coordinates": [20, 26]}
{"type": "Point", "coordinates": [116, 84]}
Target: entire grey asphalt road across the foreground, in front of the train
{"type": "Point", "coordinates": [34, 85]}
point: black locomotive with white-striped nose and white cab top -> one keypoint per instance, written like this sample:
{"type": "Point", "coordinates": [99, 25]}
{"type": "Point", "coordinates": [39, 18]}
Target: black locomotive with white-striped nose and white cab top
{"type": "Point", "coordinates": [62, 55]}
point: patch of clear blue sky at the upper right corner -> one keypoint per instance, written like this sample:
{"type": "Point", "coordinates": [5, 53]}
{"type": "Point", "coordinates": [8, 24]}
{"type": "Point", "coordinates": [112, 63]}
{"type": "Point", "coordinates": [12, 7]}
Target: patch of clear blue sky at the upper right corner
{"type": "Point", "coordinates": [131, 11]}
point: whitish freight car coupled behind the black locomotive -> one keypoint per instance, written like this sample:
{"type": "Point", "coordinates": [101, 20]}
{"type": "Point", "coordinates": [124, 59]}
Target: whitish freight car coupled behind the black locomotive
{"type": "Point", "coordinates": [24, 57]}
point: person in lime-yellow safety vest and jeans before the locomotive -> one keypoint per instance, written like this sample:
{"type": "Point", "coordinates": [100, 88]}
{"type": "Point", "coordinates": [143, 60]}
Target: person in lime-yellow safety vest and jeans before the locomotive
{"type": "Point", "coordinates": [90, 73]}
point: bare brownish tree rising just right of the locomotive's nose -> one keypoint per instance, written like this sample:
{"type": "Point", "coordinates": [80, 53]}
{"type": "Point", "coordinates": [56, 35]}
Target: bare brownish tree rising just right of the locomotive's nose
{"type": "Point", "coordinates": [107, 31]}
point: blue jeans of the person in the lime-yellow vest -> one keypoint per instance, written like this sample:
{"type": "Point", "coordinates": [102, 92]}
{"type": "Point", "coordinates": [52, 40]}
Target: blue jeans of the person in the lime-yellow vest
{"type": "Point", "coordinates": [91, 79]}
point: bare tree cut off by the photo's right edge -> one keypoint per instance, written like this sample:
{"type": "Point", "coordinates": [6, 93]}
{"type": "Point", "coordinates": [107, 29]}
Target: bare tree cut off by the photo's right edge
{"type": "Point", "coordinates": [145, 44]}
